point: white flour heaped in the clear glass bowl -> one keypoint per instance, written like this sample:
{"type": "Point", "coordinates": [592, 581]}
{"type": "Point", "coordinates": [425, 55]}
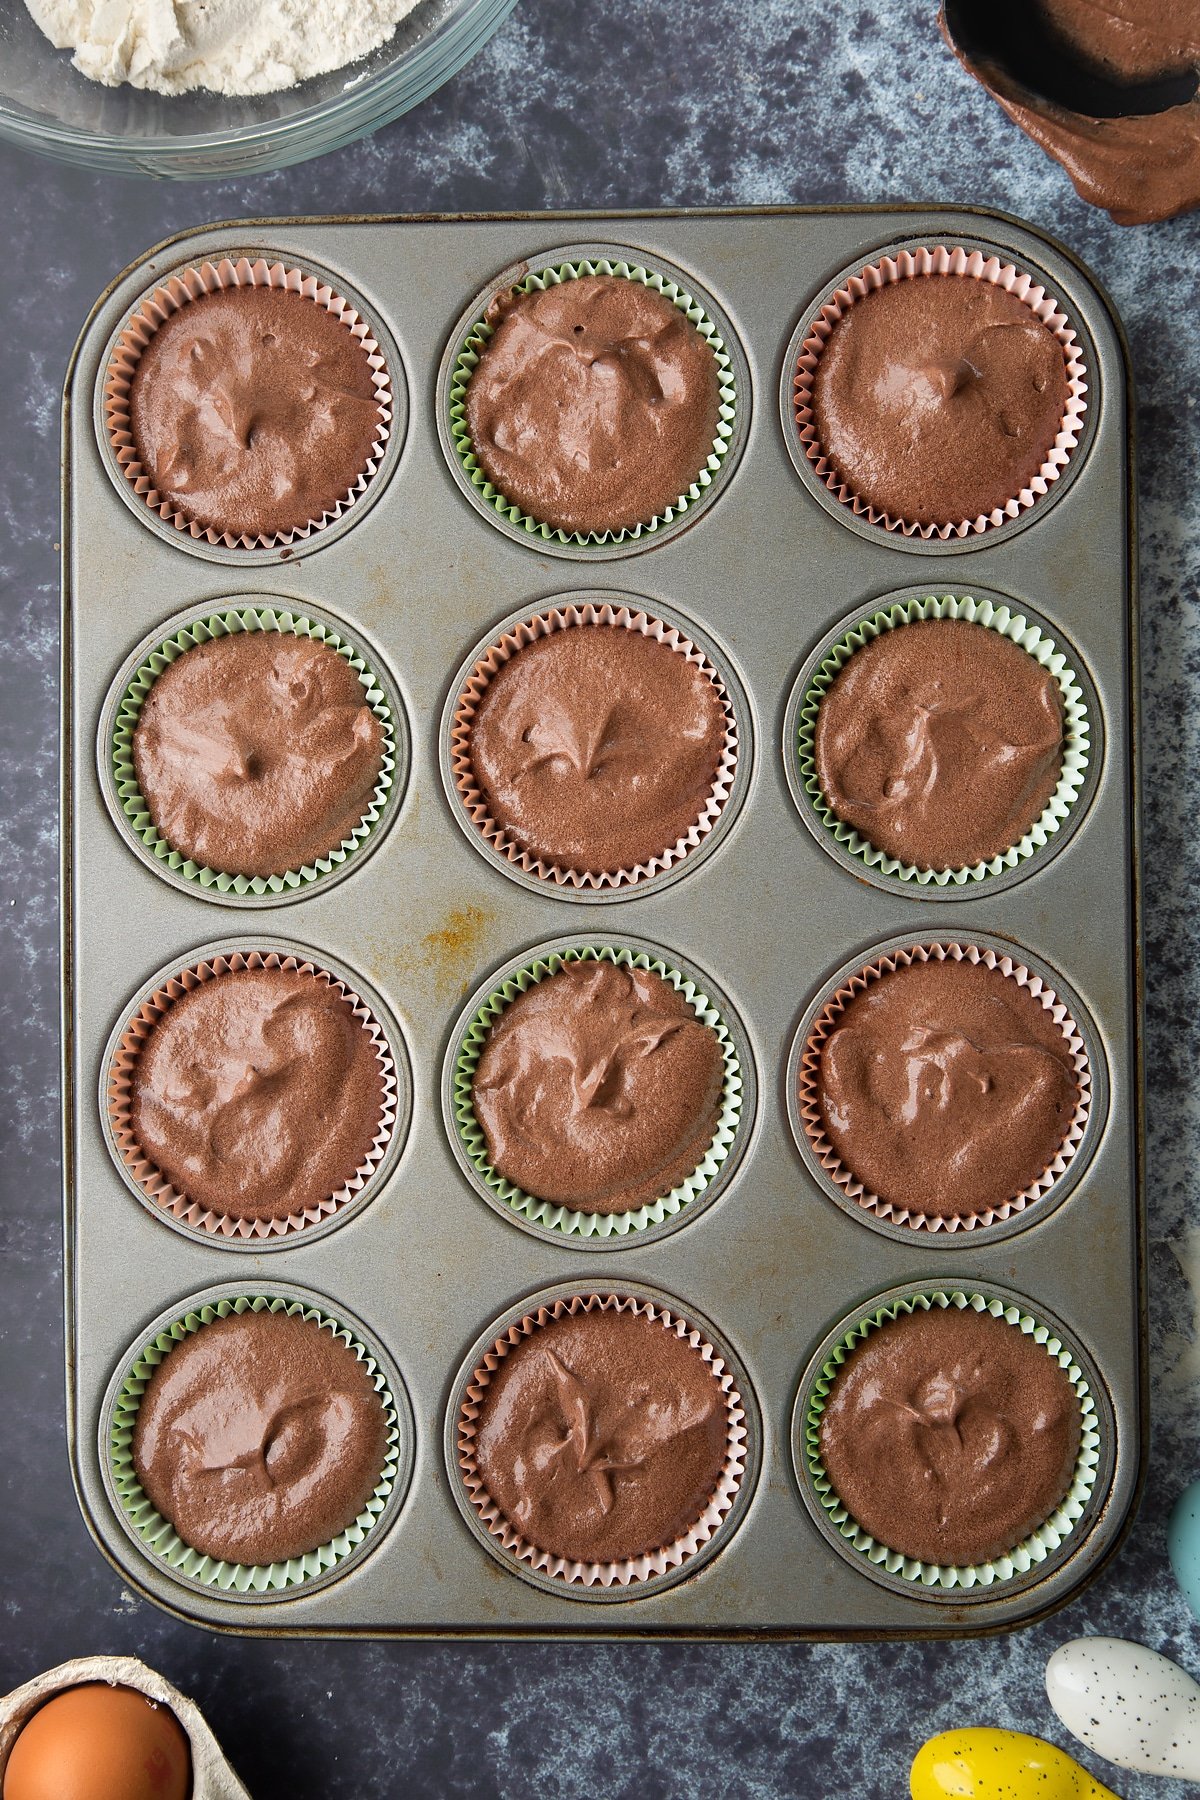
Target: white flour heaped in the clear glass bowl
{"type": "Point", "coordinates": [228, 46]}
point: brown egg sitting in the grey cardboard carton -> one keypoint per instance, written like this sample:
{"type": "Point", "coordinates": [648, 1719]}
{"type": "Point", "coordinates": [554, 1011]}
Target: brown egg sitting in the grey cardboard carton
{"type": "Point", "coordinates": [100, 1743]}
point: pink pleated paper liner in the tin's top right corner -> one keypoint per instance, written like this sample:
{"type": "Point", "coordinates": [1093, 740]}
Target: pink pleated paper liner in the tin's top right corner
{"type": "Point", "coordinates": [944, 262]}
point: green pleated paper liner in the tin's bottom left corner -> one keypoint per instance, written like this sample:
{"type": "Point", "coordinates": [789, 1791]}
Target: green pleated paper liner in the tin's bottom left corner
{"type": "Point", "coordinates": [159, 1536]}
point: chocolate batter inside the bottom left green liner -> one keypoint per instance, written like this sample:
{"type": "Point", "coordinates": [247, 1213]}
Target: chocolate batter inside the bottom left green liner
{"type": "Point", "coordinates": [260, 1437]}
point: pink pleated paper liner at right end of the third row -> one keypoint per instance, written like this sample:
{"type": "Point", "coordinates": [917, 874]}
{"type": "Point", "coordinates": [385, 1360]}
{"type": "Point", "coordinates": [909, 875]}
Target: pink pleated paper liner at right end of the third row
{"type": "Point", "coordinates": [827, 1023]}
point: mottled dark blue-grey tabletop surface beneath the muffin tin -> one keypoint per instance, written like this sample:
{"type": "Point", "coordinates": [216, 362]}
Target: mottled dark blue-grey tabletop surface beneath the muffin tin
{"type": "Point", "coordinates": [593, 103]}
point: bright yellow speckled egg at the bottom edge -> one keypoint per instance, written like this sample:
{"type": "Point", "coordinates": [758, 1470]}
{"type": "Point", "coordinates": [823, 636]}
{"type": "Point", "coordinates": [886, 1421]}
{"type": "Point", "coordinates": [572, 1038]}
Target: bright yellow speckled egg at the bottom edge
{"type": "Point", "coordinates": [990, 1765]}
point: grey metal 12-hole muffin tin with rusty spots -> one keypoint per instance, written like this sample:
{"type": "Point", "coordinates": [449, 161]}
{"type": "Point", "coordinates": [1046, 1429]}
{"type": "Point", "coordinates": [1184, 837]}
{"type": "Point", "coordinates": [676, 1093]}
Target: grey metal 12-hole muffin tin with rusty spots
{"type": "Point", "coordinates": [769, 1259]}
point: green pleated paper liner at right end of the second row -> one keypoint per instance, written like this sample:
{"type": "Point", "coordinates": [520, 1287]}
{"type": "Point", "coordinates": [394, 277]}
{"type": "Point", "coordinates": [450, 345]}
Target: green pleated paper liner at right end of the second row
{"type": "Point", "coordinates": [1019, 631]}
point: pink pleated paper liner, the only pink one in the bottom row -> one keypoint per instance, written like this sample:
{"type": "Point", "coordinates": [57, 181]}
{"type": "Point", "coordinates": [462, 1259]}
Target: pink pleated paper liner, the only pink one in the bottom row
{"type": "Point", "coordinates": [636, 1569]}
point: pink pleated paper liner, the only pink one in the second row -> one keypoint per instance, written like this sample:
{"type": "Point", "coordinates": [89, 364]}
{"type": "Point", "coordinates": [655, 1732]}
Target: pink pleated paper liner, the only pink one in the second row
{"type": "Point", "coordinates": [506, 647]}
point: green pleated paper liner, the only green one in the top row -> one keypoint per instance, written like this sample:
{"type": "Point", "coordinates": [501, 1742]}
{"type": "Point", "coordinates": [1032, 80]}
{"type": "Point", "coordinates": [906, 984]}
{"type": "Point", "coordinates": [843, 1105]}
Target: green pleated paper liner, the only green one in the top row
{"type": "Point", "coordinates": [548, 278]}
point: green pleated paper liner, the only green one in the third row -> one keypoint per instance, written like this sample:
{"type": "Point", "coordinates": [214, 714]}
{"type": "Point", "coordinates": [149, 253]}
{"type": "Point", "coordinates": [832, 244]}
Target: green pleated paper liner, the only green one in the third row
{"type": "Point", "coordinates": [548, 1214]}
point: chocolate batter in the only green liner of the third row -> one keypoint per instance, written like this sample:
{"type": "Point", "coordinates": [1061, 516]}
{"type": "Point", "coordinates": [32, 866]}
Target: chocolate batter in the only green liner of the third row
{"type": "Point", "coordinates": [598, 1088]}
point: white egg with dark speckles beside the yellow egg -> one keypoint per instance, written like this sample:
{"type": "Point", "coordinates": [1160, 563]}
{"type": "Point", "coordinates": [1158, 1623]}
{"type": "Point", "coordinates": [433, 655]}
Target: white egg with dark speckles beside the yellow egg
{"type": "Point", "coordinates": [1127, 1704]}
